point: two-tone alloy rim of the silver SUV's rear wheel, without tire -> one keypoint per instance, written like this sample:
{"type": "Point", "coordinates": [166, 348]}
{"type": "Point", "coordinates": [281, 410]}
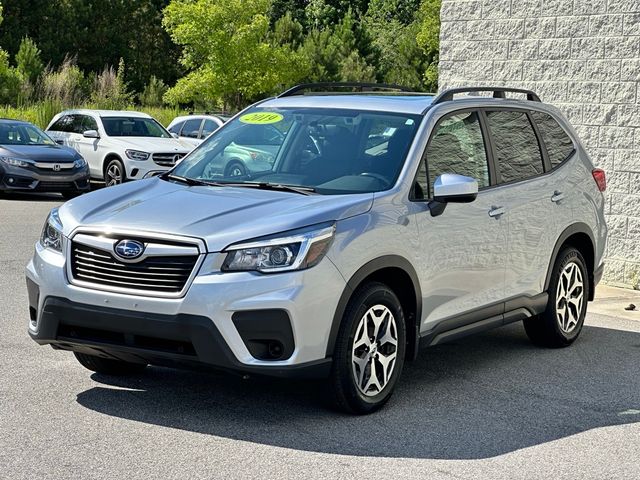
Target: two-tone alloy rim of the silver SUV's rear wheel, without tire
{"type": "Point", "coordinates": [569, 297]}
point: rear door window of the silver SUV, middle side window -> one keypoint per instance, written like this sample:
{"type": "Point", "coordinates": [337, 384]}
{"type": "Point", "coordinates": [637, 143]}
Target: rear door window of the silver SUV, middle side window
{"type": "Point", "coordinates": [516, 147]}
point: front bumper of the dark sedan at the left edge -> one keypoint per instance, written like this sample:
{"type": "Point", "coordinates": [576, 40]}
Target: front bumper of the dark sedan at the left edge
{"type": "Point", "coordinates": [25, 179]}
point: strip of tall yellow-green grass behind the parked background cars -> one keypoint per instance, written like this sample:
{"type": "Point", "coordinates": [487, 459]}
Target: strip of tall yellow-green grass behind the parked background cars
{"type": "Point", "coordinates": [42, 112]}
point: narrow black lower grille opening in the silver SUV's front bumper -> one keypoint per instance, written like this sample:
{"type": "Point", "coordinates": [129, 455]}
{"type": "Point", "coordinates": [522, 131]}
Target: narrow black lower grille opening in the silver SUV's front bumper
{"type": "Point", "coordinates": [126, 340]}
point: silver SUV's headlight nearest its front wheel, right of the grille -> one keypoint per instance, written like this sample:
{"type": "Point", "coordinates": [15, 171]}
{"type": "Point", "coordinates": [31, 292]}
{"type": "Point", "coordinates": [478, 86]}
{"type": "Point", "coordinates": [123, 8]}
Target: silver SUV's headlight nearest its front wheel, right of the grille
{"type": "Point", "coordinates": [297, 250]}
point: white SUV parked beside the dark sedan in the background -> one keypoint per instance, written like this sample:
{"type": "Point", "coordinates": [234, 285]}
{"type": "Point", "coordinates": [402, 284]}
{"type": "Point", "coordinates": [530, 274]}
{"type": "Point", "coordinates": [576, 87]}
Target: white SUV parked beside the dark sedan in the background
{"type": "Point", "coordinates": [118, 145]}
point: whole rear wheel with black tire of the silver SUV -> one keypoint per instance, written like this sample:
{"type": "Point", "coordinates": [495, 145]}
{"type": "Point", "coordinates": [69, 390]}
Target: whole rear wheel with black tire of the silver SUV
{"type": "Point", "coordinates": [561, 322]}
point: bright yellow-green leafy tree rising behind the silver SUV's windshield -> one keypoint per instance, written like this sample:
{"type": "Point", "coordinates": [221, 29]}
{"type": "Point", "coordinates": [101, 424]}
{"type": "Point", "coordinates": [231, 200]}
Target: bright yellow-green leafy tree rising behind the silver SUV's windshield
{"type": "Point", "coordinates": [227, 52]}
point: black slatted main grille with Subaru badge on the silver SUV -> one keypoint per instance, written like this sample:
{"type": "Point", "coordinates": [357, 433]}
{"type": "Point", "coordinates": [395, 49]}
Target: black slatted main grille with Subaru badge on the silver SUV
{"type": "Point", "coordinates": [160, 274]}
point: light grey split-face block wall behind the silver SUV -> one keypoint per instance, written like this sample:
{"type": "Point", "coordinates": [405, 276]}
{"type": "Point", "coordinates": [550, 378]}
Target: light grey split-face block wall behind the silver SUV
{"type": "Point", "coordinates": [584, 57]}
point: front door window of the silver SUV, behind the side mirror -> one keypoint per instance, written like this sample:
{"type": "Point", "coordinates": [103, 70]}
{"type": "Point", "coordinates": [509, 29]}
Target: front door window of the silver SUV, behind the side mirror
{"type": "Point", "coordinates": [457, 146]}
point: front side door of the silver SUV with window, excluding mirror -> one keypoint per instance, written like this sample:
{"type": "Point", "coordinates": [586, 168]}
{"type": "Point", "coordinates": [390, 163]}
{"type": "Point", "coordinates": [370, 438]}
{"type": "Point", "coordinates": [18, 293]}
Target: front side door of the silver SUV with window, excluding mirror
{"type": "Point", "coordinates": [462, 251]}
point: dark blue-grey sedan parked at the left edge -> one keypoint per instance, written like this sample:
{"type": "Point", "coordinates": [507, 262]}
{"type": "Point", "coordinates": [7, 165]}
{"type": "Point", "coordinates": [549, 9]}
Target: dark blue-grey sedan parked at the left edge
{"type": "Point", "coordinates": [31, 161]}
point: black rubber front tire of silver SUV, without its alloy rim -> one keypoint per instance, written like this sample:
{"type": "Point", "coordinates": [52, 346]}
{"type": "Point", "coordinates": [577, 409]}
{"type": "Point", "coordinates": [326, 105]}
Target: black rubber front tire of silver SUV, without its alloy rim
{"type": "Point", "coordinates": [373, 294]}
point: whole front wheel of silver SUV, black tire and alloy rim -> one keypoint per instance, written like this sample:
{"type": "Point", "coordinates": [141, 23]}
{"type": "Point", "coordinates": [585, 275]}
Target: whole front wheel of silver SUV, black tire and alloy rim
{"type": "Point", "coordinates": [355, 389]}
